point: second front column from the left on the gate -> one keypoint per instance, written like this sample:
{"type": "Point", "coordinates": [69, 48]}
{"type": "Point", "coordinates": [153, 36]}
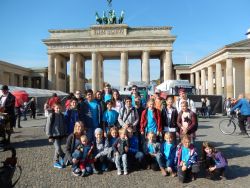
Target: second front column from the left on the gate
{"type": "Point", "coordinates": [73, 73]}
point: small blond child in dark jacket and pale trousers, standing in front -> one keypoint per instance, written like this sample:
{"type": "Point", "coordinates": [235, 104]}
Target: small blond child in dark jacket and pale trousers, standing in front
{"type": "Point", "coordinates": [121, 147]}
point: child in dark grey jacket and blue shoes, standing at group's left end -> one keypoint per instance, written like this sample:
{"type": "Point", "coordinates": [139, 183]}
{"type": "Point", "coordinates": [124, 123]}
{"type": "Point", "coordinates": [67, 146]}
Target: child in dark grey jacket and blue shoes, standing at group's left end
{"type": "Point", "coordinates": [56, 130]}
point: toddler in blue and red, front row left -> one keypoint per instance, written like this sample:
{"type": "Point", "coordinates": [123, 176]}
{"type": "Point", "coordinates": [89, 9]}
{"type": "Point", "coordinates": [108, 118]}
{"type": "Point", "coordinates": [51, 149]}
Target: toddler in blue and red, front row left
{"type": "Point", "coordinates": [82, 158]}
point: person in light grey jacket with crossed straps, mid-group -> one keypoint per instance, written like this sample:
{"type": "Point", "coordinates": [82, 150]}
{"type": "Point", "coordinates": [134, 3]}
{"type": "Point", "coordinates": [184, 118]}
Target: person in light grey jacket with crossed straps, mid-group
{"type": "Point", "coordinates": [128, 115]}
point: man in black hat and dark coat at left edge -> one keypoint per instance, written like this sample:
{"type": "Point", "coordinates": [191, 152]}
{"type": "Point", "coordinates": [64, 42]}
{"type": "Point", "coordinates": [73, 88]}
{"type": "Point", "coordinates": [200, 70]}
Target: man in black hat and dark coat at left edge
{"type": "Point", "coordinates": [7, 105]}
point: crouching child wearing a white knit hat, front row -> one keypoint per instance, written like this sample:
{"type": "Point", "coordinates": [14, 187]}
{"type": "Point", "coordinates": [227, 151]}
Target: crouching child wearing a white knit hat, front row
{"type": "Point", "coordinates": [100, 150]}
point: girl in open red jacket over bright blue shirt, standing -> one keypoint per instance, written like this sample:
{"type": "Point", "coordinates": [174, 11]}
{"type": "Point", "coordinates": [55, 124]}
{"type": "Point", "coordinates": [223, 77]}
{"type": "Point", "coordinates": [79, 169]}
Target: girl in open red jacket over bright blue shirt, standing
{"type": "Point", "coordinates": [151, 119]}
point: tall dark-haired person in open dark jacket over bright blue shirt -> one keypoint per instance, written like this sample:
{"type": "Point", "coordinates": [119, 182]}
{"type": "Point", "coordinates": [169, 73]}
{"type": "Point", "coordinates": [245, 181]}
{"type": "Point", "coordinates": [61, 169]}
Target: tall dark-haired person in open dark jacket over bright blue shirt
{"type": "Point", "coordinates": [90, 114]}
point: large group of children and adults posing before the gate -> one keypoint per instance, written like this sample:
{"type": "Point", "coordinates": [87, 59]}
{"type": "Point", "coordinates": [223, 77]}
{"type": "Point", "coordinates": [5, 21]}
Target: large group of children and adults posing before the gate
{"type": "Point", "coordinates": [104, 131]}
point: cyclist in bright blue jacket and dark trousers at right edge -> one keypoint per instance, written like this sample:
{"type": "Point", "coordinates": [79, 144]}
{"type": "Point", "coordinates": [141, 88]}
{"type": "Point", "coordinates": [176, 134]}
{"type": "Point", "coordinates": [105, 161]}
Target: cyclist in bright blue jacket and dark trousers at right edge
{"type": "Point", "coordinates": [244, 106]}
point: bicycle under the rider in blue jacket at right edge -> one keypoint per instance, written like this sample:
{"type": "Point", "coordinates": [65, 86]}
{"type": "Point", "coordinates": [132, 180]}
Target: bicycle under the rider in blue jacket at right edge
{"type": "Point", "coordinates": [228, 126]}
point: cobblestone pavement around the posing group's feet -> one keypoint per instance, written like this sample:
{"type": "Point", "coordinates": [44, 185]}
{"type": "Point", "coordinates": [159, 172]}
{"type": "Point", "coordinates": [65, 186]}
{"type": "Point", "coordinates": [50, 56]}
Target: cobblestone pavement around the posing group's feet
{"type": "Point", "coordinates": [35, 156]}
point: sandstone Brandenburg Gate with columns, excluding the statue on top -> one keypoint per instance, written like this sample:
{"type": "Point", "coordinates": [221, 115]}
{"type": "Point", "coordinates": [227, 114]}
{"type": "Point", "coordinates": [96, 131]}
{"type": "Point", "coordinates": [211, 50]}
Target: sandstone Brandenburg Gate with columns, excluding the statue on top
{"type": "Point", "coordinates": [104, 42]}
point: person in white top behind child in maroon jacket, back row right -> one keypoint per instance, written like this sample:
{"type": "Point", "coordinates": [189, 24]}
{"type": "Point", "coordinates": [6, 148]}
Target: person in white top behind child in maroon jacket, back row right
{"type": "Point", "coordinates": [183, 97]}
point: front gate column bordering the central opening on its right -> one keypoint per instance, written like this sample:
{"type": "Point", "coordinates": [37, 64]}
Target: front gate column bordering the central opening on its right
{"type": "Point", "coordinates": [124, 69]}
